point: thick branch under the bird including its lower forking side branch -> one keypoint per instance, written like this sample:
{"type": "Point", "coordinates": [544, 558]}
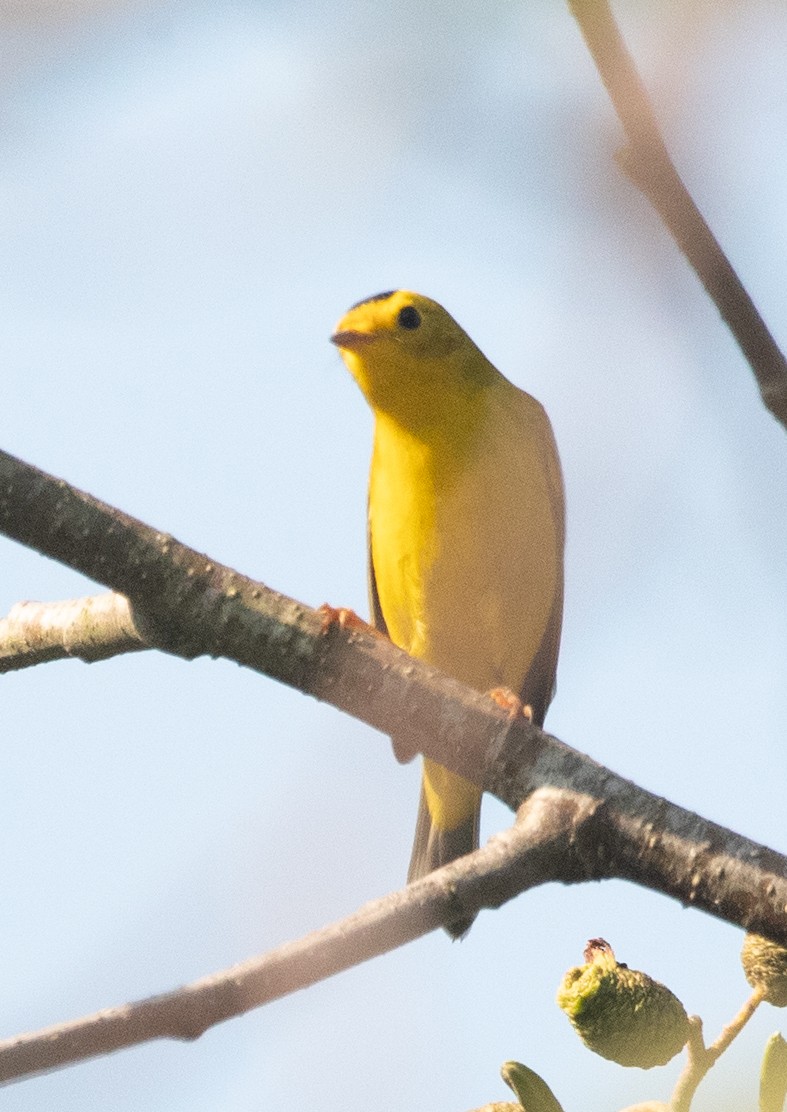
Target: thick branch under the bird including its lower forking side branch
{"type": "Point", "coordinates": [583, 822]}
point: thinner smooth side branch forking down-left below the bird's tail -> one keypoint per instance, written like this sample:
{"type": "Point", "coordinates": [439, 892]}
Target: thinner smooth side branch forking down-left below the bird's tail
{"type": "Point", "coordinates": [537, 849]}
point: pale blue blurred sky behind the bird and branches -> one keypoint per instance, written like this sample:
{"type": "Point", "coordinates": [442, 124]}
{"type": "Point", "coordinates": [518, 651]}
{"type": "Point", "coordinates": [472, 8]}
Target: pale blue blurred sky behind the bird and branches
{"type": "Point", "coordinates": [191, 196]}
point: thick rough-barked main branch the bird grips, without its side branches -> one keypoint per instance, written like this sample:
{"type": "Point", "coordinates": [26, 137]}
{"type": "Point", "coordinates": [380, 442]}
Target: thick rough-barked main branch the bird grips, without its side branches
{"type": "Point", "coordinates": [187, 604]}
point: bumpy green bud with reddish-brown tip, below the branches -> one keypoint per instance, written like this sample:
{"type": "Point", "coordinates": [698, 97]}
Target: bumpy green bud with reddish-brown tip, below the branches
{"type": "Point", "coordinates": [621, 1014]}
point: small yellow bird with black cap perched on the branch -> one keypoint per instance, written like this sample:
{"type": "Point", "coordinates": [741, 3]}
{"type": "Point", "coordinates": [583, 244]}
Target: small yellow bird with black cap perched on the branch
{"type": "Point", "coordinates": [466, 530]}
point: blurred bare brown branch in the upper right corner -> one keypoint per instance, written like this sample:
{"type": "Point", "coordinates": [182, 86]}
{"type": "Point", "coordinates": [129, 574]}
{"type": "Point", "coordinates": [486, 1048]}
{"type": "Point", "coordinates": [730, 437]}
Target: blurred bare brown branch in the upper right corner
{"type": "Point", "coordinates": [651, 168]}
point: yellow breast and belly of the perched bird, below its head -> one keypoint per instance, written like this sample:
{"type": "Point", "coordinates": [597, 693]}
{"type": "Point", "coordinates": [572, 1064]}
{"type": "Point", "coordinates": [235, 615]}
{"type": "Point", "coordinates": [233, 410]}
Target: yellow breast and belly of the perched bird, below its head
{"type": "Point", "coordinates": [466, 540]}
